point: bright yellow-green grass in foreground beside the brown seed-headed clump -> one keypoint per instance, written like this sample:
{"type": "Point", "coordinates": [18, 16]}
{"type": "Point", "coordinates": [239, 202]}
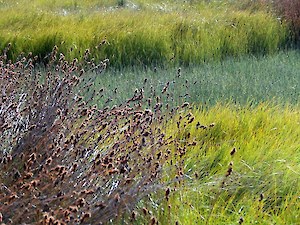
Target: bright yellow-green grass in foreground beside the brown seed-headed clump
{"type": "Point", "coordinates": [263, 187]}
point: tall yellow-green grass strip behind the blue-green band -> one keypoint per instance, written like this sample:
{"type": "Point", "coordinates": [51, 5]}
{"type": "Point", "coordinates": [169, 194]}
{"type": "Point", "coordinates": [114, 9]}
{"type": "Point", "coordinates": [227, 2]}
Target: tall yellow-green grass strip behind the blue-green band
{"type": "Point", "coordinates": [139, 35]}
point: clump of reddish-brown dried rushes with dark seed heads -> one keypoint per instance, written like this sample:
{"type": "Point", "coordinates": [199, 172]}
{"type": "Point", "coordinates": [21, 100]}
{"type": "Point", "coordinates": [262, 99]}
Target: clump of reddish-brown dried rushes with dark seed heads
{"type": "Point", "coordinates": [64, 161]}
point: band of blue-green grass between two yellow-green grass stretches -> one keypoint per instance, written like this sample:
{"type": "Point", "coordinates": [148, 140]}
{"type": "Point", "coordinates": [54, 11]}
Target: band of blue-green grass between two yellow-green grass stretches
{"type": "Point", "coordinates": [246, 80]}
